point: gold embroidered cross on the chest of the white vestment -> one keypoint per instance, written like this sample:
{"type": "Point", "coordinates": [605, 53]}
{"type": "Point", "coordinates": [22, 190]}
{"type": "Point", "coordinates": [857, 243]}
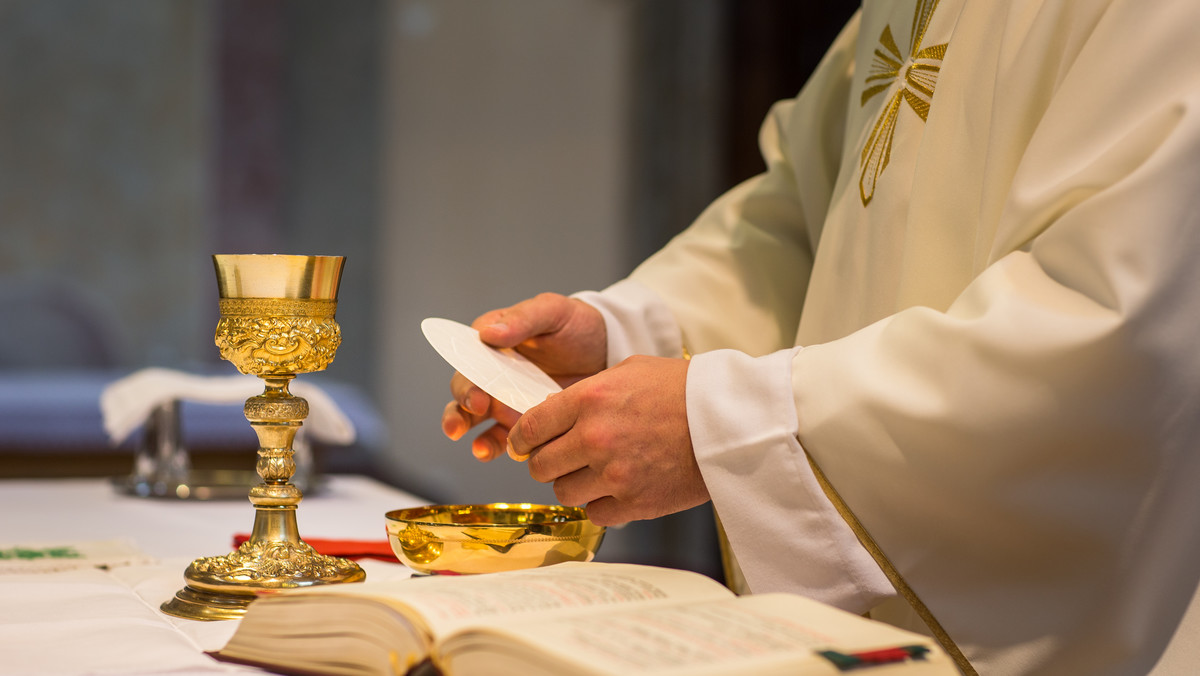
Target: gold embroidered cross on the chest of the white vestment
{"type": "Point", "coordinates": [920, 74]}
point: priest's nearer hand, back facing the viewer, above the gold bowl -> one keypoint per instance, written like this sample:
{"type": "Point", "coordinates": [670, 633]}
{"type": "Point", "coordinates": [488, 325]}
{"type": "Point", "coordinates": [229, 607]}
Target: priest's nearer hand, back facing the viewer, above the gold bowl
{"type": "Point", "coordinates": [617, 442]}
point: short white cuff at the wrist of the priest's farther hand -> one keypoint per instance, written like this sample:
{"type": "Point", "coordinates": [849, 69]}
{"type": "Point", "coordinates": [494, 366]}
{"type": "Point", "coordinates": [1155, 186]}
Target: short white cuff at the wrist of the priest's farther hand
{"type": "Point", "coordinates": [637, 320]}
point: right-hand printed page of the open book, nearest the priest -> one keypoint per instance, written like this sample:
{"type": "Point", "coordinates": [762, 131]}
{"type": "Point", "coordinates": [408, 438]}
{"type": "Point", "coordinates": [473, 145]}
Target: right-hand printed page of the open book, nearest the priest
{"type": "Point", "coordinates": [759, 635]}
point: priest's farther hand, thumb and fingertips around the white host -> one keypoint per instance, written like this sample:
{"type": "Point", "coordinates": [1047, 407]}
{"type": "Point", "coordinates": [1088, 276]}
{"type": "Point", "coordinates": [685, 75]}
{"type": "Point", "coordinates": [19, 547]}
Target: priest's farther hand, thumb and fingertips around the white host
{"type": "Point", "coordinates": [562, 336]}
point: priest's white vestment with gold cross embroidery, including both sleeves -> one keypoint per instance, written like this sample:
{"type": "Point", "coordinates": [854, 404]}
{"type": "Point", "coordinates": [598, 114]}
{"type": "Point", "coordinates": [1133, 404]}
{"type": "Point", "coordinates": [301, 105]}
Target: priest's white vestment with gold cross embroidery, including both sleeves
{"type": "Point", "coordinates": [982, 223]}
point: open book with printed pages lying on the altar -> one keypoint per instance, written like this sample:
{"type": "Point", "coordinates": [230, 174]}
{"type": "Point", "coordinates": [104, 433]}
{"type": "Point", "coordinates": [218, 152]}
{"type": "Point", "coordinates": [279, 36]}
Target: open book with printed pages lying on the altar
{"type": "Point", "coordinates": [597, 619]}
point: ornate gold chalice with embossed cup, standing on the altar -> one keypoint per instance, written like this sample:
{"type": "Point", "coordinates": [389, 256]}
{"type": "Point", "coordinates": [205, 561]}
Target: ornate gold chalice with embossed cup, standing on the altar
{"type": "Point", "coordinates": [277, 322]}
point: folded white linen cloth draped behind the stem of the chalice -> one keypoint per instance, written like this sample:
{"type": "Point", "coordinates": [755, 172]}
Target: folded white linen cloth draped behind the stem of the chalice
{"type": "Point", "coordinates": [128, 403]}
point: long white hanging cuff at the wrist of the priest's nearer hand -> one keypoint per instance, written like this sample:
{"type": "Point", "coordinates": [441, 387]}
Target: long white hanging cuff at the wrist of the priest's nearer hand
{"type": "Point", "coordinates": [785, 534]}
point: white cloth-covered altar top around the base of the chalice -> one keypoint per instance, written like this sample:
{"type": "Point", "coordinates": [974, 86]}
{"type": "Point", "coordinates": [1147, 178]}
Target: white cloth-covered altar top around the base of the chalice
{"type": "Point", "coordinates": [109, 621]}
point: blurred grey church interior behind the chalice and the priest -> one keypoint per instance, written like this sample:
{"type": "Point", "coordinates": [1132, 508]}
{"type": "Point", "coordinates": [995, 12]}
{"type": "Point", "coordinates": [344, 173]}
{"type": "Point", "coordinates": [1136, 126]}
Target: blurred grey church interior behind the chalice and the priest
{"type": "Point", "coordinates": [461, 154]}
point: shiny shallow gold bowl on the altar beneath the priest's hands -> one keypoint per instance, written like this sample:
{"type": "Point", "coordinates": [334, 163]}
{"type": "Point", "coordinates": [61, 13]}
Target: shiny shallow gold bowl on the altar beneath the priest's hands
{"type": "Point", "coordinates": [458, 540]}
